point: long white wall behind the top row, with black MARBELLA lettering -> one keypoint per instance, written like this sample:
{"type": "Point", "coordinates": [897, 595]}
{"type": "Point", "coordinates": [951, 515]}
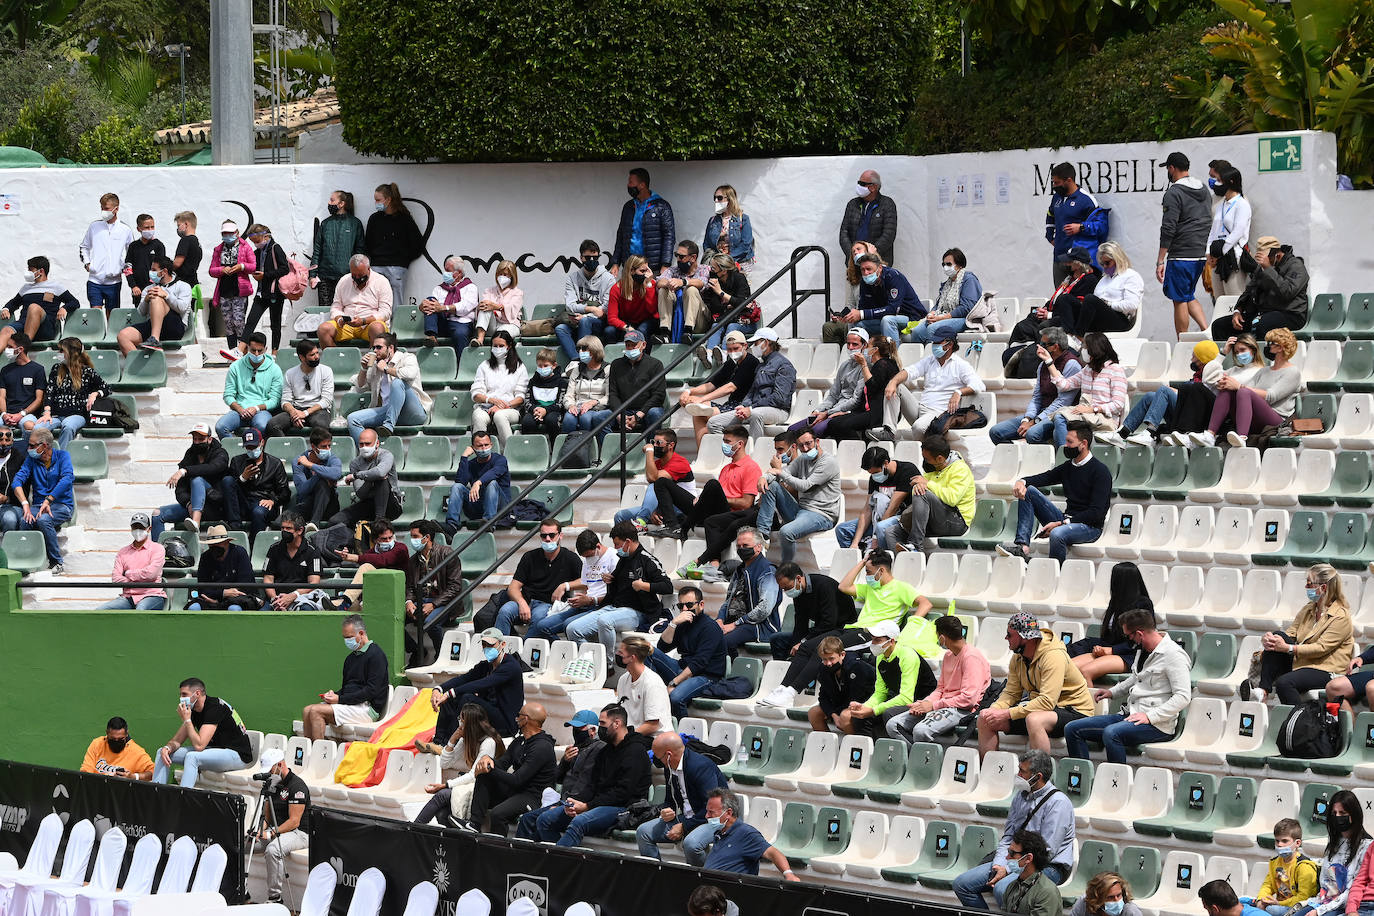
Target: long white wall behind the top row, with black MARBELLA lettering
{"type": "Point", "coordinates": [543, 211]}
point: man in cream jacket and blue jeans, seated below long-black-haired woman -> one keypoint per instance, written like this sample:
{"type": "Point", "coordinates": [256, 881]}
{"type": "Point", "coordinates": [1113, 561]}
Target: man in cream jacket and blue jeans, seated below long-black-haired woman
{"type": "Point", "coordinates": [1153, 696]}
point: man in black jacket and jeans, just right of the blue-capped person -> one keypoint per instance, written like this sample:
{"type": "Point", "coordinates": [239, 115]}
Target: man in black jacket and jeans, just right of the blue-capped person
{"type": "Point", "coordinates": [622, 779]}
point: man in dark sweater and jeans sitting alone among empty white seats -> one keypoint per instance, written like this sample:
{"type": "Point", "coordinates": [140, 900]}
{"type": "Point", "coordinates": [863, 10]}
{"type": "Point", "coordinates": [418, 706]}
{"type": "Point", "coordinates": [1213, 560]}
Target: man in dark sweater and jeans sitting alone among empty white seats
{"type": "Point", "coordinates": [1088, 491]}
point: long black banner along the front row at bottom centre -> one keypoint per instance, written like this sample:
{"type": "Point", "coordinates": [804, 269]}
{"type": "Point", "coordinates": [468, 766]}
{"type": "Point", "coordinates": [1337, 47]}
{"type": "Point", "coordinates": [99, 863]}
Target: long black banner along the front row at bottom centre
{"type": "Point", "coordinates": [553, 878]}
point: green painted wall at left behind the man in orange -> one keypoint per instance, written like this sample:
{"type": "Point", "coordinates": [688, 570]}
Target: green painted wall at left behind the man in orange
{"type": "Point", "coordinates": [65, 674]}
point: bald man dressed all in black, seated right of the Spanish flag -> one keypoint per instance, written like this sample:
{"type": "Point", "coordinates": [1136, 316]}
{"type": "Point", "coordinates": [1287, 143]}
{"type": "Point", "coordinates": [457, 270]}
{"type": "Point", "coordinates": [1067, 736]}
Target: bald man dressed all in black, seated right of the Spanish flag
{"type": "Point", "coordinates": [512, 785]}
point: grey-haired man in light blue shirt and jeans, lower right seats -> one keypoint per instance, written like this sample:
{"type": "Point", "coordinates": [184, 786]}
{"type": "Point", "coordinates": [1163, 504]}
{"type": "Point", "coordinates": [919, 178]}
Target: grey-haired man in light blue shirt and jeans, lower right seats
{"type": "Point", "coordinates": [1042, 811]}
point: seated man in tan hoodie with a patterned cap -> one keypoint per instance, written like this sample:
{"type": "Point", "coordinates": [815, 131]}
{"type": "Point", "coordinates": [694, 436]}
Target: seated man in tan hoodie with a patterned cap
{"type": "Point", "coordinates": [1045, 690]}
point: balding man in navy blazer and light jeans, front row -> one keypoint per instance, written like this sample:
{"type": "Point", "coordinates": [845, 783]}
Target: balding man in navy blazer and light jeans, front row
{"type": "Point", "coordinates": [688, 779]}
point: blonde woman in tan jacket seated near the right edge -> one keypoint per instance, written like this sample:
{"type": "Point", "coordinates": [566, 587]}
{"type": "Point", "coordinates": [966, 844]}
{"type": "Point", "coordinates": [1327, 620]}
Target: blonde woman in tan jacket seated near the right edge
{"type": "Point", "coordinates": [1316, 649]}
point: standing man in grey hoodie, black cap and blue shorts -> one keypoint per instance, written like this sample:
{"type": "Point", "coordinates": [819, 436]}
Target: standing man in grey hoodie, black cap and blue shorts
{"type": "Point", "coordinates": [1184, 233]}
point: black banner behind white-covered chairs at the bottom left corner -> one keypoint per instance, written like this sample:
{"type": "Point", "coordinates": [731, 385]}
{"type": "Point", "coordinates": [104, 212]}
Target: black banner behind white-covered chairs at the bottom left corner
{"type": "Point", "coordinates": [28, 794]}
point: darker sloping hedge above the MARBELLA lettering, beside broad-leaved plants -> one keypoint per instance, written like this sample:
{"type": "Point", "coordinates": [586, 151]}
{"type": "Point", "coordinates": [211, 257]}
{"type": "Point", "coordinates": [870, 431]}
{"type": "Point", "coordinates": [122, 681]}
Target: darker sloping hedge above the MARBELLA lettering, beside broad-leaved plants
{"type": "Point", "coordinates": [1112, 97]}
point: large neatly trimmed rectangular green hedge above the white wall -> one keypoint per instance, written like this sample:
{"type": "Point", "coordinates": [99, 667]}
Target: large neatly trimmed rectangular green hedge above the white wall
{"type": "Point", "coordinates": [608, 80]}
